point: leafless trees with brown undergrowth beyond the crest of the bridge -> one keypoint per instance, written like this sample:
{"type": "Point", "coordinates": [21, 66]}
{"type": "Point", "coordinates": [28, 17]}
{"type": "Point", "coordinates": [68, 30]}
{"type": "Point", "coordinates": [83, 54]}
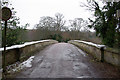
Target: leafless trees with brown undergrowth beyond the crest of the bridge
{"type": "Point", "coordinates": [55, 28]}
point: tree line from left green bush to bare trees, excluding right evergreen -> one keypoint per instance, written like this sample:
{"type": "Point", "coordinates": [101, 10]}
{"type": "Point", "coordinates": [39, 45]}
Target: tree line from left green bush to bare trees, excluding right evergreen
{"type": "Point", "coordinates": [48, 28]}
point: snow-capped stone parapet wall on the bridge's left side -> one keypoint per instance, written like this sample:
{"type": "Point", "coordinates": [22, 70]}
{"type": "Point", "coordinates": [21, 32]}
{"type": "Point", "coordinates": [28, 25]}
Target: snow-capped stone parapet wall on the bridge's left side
{"type": "Point", "coordinates": [22, 52]}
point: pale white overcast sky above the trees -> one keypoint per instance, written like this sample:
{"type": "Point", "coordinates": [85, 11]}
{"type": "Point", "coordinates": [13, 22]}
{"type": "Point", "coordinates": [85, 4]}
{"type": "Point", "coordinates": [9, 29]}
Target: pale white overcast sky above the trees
{"type": "Point", "coordinates": [30, 11]}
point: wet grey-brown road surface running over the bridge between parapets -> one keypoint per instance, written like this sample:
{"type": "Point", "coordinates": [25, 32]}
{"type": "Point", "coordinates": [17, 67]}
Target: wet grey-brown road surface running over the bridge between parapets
{"type": "Point", "coordinates": [63, 60]}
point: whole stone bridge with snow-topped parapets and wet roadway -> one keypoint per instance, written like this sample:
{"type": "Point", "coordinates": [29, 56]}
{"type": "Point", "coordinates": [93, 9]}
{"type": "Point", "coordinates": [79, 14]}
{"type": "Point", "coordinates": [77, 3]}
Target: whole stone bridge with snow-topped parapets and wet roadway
{"type": "Point", "coordinates": [50, 59]}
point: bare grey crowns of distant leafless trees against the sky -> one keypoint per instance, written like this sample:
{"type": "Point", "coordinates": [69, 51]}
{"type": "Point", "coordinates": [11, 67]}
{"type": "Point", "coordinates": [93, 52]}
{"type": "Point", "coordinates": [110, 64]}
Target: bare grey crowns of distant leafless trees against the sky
{"type": "Point", "coordinates": [57, 23]}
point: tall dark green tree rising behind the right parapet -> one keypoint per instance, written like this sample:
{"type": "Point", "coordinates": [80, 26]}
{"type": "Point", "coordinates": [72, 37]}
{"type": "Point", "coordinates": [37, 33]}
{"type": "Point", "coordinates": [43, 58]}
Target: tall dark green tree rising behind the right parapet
{"type": "Point", "coordinates": [105, 23]}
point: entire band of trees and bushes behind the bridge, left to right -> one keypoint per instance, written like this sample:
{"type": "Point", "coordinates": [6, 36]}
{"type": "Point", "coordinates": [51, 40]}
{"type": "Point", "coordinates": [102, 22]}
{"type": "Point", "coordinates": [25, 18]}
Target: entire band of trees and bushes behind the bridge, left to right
{"type": "Point", "coordinates": [104, 23]}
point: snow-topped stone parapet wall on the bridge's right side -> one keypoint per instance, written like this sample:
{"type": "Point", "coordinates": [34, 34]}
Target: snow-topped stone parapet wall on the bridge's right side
{"type": "Point", "coordinates": [101, 52]}
